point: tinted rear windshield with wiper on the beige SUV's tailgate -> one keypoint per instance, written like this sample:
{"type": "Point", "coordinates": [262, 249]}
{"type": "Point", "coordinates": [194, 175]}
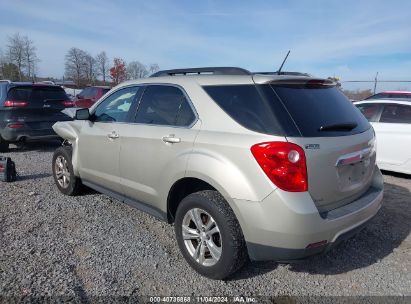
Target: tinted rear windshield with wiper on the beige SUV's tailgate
{"type": "Point", "coordinates": [320, 111]}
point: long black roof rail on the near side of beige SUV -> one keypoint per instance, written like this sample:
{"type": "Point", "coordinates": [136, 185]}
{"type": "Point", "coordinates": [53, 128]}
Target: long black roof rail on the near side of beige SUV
{"type": "Point", "coordinates": [203, 71]}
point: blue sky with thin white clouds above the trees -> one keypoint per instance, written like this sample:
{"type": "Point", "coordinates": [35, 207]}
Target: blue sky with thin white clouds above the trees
{"type": "Point", "coordinates": [349, 39]}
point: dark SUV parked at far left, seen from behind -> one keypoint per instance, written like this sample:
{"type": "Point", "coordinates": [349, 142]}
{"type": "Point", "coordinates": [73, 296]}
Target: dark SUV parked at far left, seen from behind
{"type": "Point", "coordinates": [28, 111]}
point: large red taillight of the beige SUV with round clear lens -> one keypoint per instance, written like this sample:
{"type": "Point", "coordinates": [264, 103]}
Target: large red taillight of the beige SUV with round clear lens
{"type": "Point", "coordinates": [284, 164]}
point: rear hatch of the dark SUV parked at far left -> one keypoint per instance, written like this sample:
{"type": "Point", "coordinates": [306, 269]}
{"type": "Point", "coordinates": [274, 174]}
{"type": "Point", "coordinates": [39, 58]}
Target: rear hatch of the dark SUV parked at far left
{"type": "Point", "coordinates": [38, 106]}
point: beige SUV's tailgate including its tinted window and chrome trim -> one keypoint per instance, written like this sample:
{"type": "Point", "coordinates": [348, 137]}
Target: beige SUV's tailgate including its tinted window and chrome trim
{"type": "Point", "coordinates": [338, 141]}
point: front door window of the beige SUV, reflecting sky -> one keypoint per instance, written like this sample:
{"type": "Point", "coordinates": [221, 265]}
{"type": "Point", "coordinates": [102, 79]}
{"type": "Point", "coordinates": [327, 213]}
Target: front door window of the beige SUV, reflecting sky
{"type": "Point", "coordinates": [116, 107]}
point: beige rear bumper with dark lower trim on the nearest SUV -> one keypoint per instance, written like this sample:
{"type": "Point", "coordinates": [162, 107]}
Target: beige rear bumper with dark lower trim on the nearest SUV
{"type": "Point", "coordinates": [283, 225]}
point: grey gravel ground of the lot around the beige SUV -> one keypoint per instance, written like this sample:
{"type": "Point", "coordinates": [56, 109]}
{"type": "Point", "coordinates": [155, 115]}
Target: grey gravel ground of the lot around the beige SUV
{"type": "Point", "coordinates": [91, 245]}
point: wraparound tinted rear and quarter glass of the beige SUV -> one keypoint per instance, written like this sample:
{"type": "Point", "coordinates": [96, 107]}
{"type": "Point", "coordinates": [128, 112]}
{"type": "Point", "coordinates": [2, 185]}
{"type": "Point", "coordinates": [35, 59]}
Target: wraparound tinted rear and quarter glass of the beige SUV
{"type": "Point", "coordinates": [290, 110]}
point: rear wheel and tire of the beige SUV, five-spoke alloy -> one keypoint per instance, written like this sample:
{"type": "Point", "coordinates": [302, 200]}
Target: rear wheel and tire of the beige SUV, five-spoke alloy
{"type": "Point", "coordinates": [229, 240]}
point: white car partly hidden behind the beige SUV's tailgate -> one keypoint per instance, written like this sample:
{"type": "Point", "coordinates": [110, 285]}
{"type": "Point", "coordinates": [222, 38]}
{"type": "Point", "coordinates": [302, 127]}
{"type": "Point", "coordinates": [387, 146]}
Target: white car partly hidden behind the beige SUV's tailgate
{"type": "Point", "coordinates": [391, 120]}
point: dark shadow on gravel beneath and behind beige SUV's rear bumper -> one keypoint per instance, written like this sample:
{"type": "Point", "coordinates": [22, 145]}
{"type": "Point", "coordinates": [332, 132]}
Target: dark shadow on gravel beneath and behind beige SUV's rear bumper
{"type": "Point", "coordinates": [380, 237]}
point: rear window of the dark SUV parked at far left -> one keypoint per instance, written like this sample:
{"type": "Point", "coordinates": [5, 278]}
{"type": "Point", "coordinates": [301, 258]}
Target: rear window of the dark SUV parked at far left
{"type": "Point", "coordinates": [37, 94]}
